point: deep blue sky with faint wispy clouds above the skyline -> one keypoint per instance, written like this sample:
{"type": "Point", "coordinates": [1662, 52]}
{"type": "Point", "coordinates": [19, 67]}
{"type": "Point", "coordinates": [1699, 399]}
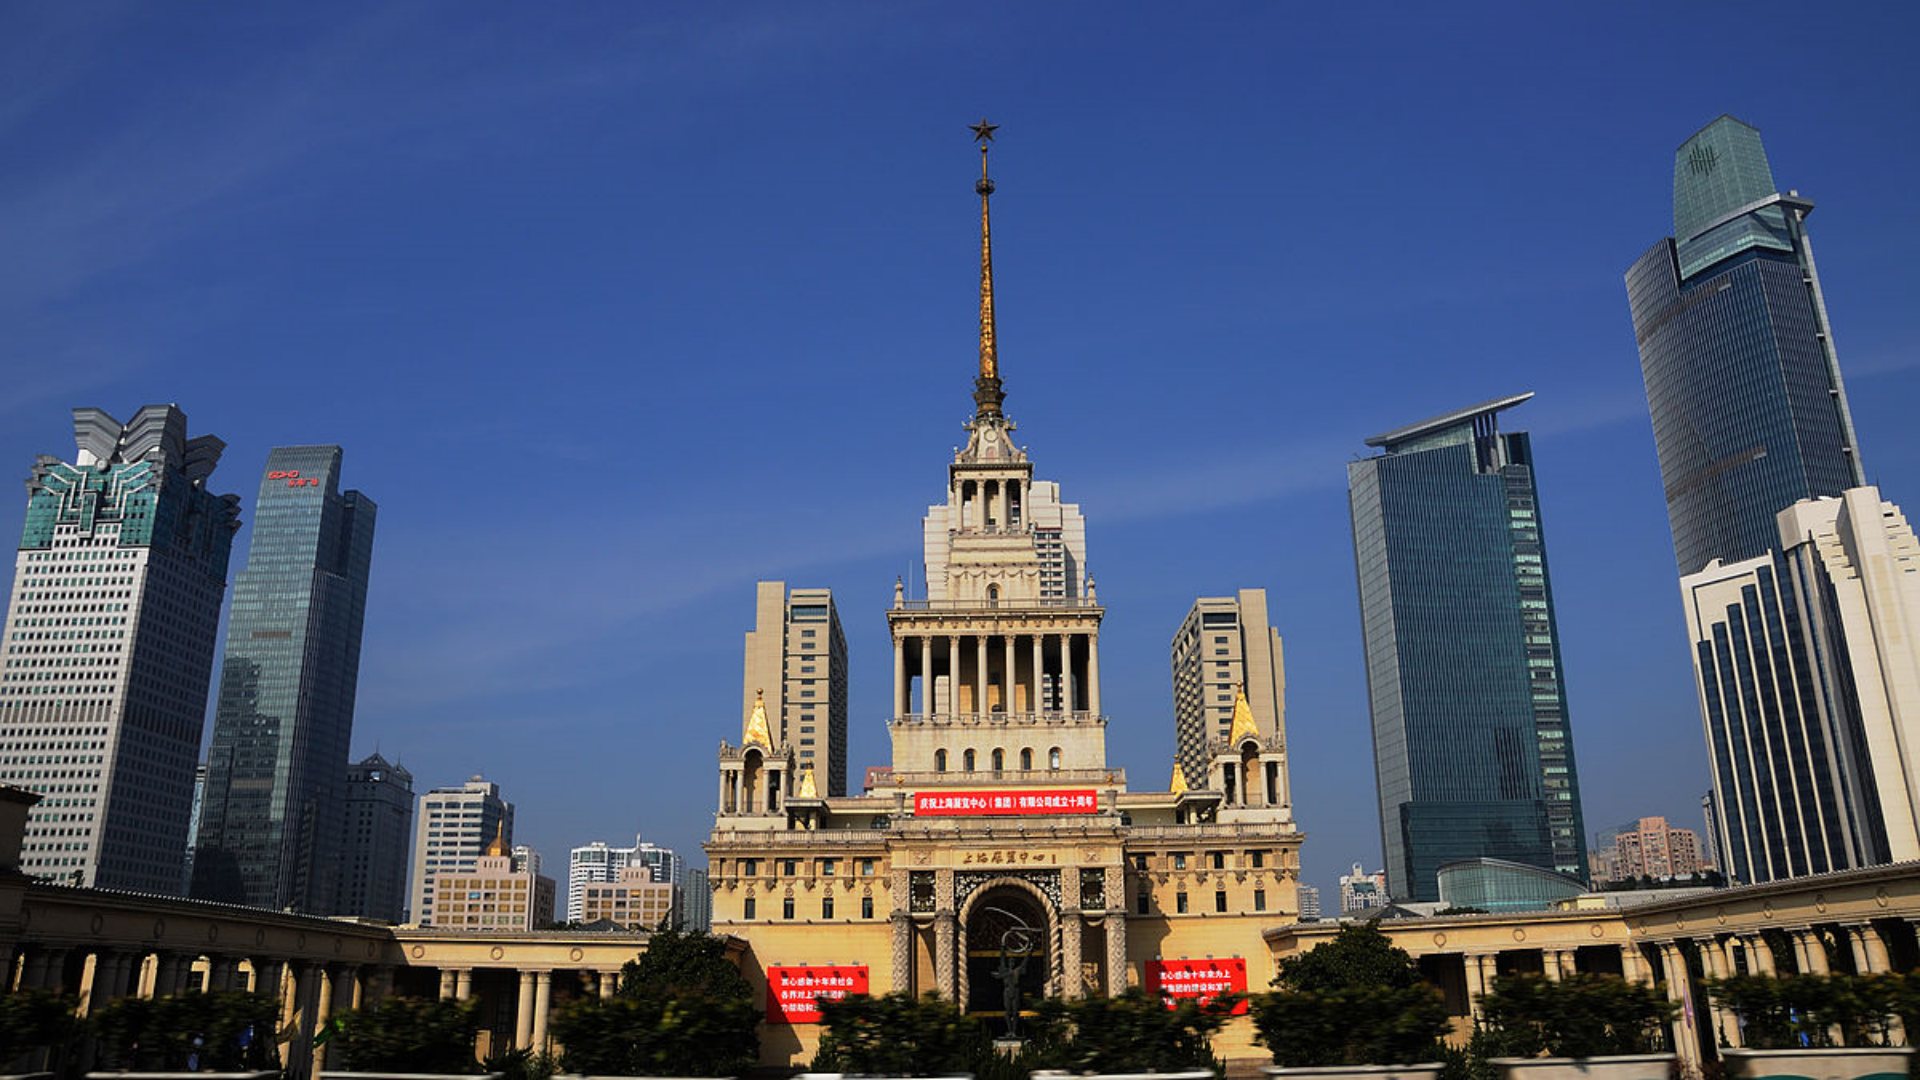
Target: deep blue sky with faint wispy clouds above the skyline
{"type": "Point", "coordinates": [619, 308]}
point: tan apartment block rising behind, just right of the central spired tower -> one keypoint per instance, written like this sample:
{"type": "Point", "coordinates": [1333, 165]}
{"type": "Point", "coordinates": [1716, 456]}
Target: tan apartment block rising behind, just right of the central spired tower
{"type": "Point", "coordinates": [1222, 647]}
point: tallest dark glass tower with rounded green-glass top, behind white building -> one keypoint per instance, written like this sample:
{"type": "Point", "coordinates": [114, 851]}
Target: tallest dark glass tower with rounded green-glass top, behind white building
{"type": "Point", "coordinates": [1750, 414]}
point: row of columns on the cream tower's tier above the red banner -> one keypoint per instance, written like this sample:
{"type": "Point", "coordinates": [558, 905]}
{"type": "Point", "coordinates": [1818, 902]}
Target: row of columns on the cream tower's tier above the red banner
{"type": "Point", "coordinates": [997, 674]}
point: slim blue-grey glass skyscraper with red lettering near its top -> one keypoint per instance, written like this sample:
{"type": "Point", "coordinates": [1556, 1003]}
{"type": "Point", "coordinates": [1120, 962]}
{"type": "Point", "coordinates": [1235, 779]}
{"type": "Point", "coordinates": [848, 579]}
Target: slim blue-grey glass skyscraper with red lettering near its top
{"type": "Point", "coordinates": [276, 810]}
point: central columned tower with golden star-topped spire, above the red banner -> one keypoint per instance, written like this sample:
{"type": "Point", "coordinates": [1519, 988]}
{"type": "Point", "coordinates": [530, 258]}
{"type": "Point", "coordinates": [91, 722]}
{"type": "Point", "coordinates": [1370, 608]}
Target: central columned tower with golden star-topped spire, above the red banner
{"type": "Point", "coordinates": [997, 672]}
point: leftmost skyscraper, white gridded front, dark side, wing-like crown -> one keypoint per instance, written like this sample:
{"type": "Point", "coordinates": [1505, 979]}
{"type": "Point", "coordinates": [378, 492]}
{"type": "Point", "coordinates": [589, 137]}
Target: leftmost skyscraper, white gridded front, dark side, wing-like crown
{"type": "Point", "coordinates": [110, 649]}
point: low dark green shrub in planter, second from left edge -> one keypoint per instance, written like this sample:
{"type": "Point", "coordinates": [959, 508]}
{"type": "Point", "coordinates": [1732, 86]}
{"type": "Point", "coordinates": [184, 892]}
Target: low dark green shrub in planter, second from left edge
{"type": "Point", "coordinates": [224, 1031]}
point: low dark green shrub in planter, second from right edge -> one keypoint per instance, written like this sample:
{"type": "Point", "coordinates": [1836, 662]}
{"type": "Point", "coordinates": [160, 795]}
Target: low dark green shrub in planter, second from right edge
{"type": "Point", "coordinates": [1581, 1016]}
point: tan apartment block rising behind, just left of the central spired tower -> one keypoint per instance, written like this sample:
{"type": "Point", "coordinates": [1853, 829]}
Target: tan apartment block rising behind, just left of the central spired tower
{"type": "Point", "coordinates": [798, 658]}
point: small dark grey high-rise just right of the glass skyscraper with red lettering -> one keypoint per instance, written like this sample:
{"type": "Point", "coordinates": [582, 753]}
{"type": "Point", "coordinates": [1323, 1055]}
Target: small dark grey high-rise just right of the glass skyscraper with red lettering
{"type": "Point", "coordinates": [373, 881]}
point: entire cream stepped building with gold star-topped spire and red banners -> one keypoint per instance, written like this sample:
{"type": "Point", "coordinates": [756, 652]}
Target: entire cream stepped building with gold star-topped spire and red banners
{"type": "Point", "coordinates": [1003, 858]}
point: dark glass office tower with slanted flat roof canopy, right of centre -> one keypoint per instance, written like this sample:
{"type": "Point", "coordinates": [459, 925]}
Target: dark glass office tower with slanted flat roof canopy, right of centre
{"type": "Point", "coordinates": [1464, 674]}
